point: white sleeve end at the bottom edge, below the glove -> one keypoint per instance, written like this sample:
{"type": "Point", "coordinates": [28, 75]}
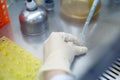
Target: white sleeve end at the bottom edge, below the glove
{"type": "Point", "coordinates": [63, 77]}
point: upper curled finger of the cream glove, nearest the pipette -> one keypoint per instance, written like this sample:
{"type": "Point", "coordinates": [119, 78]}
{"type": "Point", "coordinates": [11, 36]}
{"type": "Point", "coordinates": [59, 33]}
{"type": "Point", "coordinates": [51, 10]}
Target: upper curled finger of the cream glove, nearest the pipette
{"type": "Point", "coordinates": [70, 38]}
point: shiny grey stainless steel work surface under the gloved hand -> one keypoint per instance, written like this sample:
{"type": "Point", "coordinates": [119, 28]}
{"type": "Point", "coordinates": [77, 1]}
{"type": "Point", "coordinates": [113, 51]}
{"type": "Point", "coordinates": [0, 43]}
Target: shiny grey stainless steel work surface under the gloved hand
{"type": "Point", "coordinates": [102, 33]}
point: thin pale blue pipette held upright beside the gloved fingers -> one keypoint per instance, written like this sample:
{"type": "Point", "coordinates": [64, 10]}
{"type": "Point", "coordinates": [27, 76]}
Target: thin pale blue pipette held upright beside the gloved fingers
{"type": "Point", "coordinates": [85, 28]}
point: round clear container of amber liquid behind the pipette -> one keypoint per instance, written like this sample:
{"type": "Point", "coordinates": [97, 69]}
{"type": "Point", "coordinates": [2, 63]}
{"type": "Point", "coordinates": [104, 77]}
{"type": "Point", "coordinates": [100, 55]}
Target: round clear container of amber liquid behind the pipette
{"type": "Point", "coordinates": [78, 9]}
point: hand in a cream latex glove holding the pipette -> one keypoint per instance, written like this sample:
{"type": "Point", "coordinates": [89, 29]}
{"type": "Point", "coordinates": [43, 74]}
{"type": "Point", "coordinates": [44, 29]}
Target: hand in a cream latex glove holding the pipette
{"type": "Point", "coordinates": [59, 50]}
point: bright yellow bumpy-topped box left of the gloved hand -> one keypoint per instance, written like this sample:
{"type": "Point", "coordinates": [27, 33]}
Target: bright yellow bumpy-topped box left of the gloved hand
{"type": "Point", "coordinates": [16, 63]}
